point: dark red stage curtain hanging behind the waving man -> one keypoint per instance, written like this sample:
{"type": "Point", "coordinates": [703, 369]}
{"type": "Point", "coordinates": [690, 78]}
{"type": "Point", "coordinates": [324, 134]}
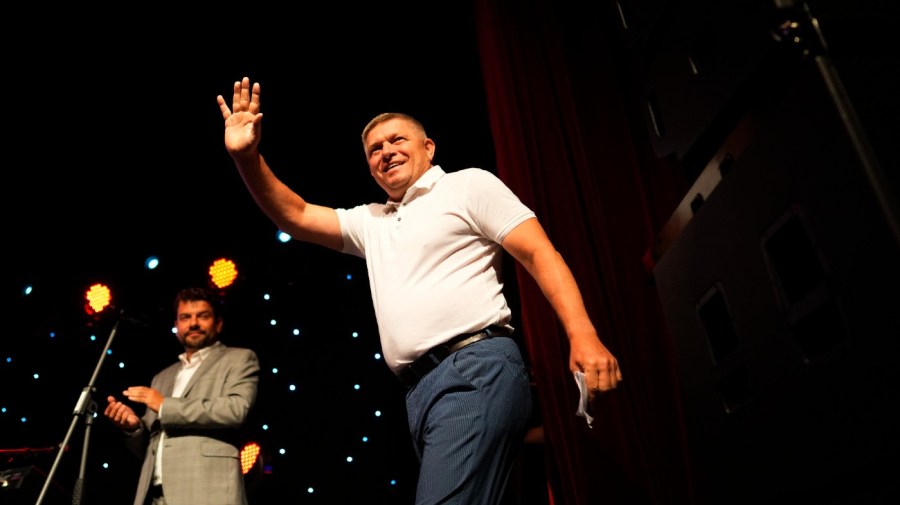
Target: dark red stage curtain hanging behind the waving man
{"type": "Point", "coordinates": [567, 144]}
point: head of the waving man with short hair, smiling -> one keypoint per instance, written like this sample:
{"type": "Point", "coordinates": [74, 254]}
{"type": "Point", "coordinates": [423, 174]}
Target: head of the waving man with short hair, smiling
{"type": "Point", "coordinates": [399, 153]}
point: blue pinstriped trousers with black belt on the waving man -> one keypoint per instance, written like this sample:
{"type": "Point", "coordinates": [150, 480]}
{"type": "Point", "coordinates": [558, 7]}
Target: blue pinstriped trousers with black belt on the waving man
{"type": "Point", "coordinates": [468, 419]}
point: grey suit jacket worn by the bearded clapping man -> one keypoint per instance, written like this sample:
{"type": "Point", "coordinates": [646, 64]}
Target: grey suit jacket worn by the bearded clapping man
{"type": "Point", "coordinates": [201, 456]}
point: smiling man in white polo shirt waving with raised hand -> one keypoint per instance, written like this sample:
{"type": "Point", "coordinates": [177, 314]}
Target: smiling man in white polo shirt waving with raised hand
{"type": "Point", "coordinates": [434, 253]}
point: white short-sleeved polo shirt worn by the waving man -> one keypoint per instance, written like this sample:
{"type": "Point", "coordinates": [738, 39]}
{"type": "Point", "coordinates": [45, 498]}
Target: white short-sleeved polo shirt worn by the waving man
{"type": "Point", "coordinates": [434, 259]}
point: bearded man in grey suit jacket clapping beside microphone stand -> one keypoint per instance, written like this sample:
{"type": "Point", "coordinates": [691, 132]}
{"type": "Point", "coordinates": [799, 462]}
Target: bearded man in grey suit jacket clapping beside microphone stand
{"type": "Point", "coordinates": [188, 435]}
